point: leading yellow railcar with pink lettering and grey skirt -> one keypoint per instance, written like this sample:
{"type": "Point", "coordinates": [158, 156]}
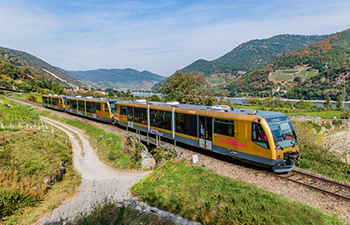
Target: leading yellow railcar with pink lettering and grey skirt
{"type": "Point", "coordinates": [262, 137]}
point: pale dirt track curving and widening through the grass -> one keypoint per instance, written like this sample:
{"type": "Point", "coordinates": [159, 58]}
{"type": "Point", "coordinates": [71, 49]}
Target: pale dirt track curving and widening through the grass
{"type": "Point", "coordinates": [99, 182]}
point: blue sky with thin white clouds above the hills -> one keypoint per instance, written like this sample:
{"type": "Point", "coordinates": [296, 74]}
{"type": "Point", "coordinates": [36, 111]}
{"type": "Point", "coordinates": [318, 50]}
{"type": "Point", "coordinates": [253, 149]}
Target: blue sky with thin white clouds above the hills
{"type": "Point", "coordinates": [158, 36]}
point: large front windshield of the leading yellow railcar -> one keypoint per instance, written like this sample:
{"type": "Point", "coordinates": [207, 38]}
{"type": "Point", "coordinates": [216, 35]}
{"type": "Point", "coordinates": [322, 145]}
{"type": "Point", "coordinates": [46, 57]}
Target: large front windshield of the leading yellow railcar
{"type": "Point", "coordinates": [283, 132]}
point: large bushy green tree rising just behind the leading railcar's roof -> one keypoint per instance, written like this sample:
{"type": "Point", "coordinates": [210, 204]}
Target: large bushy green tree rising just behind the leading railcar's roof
{"type": "Point", "coordinates": [188, 89]}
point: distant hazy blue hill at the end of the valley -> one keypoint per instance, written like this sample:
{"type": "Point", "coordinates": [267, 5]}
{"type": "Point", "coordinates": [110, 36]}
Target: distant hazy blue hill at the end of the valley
{"type": "Point", "coordinates": [117, 78]}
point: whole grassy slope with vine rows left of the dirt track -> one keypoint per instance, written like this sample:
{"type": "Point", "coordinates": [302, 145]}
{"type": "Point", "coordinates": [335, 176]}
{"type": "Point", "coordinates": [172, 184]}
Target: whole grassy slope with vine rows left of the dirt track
{"type": "Point", "coordinates": [31, 153]}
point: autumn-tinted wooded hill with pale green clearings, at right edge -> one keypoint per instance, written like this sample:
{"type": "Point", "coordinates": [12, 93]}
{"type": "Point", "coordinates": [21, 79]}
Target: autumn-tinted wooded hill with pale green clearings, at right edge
{"type": "Point", "coordinates": [315, 72]}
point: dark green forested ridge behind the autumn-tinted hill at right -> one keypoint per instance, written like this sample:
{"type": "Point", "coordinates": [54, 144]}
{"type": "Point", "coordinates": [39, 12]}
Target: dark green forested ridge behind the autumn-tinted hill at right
{"type": "Point", "coordinates": [252, 54]}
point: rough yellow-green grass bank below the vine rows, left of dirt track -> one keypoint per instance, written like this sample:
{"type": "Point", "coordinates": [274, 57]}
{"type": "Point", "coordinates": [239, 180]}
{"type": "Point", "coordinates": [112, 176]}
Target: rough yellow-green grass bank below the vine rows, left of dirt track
{"type": "Point", "coordinates": [26, 157]}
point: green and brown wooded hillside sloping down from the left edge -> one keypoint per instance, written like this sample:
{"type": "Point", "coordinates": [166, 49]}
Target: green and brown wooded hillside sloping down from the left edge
{"type": "Point", "coordinates": [19, 74]}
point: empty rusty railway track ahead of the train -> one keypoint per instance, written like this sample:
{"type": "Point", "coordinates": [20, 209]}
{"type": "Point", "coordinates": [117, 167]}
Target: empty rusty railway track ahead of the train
{"type": "Point", "coordinates": [325, 185]}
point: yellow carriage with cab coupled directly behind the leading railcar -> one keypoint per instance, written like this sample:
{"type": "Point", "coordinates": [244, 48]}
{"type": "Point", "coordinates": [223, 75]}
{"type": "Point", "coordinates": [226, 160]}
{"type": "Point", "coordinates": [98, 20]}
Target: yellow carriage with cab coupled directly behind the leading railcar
{"type": "Point", "coordinates": [96, 108]}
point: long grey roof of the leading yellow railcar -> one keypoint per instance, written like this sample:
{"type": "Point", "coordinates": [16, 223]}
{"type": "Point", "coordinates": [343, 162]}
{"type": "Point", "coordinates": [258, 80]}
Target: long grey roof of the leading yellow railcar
{"type": "Point", "coordinates": [215, 108]}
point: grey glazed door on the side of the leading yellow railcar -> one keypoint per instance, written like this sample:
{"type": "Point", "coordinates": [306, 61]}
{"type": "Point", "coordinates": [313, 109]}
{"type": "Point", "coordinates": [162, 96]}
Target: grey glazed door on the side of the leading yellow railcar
{"type": "Point", "coordinates": [205, 132]}
